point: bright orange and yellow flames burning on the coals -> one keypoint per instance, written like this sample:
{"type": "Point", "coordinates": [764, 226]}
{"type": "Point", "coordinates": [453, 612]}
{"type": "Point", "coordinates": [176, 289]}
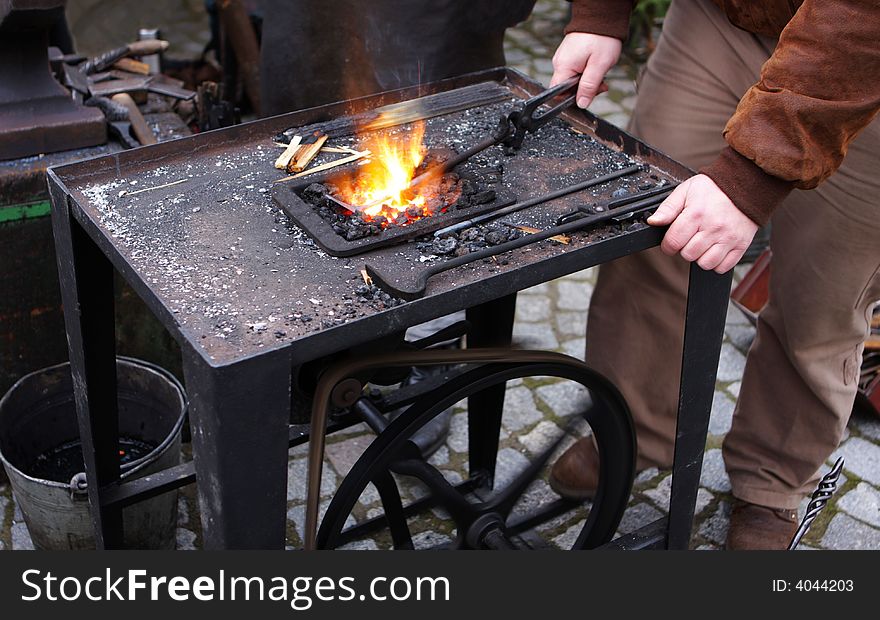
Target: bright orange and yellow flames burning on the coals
{"type": "Point", "coordinates": [384, 182]}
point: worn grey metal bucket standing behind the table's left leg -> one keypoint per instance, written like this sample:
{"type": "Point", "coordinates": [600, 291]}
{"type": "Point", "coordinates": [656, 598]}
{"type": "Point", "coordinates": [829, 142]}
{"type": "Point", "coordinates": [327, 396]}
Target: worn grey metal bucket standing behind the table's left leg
{"type": "Point", "coordinates": [38, 415]}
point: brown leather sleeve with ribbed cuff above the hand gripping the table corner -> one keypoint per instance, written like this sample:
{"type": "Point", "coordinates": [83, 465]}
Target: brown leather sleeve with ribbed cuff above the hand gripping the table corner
{"type": "Point", "coordinates": [817, 91]}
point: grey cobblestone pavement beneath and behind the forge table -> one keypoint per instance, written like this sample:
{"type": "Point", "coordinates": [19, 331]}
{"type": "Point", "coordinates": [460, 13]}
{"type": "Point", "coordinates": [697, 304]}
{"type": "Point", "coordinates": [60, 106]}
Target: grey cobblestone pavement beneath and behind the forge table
{"type": "Point", "coordinates": [553, 316]}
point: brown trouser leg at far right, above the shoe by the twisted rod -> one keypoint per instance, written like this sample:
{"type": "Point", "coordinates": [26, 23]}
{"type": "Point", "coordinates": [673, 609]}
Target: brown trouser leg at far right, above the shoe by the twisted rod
{"type": "Point", "coordinates": [802, 370]}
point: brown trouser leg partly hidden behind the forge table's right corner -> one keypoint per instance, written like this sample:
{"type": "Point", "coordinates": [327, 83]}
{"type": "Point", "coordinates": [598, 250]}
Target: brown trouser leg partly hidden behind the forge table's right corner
{"type": "Point", "coordinates": [690, 87]}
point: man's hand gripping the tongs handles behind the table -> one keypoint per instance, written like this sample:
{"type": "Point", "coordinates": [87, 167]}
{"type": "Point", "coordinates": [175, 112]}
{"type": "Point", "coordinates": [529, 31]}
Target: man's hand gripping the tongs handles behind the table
{"type": "Point", "coordinates": [587, 55]}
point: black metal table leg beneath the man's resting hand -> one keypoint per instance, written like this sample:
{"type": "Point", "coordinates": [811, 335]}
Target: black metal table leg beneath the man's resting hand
{"type": "Point", "coordinates": [708, 295]}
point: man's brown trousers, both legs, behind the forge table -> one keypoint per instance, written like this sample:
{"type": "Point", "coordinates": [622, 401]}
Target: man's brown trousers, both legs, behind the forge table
{"type": "Point", "coordinates": [801, 372]}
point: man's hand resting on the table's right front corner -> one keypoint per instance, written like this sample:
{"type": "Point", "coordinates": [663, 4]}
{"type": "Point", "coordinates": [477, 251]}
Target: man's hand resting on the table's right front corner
{"type": "Point", "coordinates": [705, 225]}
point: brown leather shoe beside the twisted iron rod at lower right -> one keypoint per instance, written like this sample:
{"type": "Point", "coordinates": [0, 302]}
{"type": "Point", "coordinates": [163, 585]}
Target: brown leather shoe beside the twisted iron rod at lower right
{"type": "Point", "coordinates": [754, 527]}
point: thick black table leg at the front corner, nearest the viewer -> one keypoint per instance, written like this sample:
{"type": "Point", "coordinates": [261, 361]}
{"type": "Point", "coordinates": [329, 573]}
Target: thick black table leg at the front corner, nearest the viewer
{"type": "Point", "coordinates": [239, 416]}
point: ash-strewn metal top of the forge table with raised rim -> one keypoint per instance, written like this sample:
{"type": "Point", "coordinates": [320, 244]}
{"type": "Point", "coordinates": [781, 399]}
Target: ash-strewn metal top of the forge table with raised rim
{"type": "Point", "coordinates": [192, 226]}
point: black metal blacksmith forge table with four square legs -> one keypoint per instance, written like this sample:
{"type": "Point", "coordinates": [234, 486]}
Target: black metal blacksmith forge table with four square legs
{"type": "Point", "coordinates": [191, 227]}
